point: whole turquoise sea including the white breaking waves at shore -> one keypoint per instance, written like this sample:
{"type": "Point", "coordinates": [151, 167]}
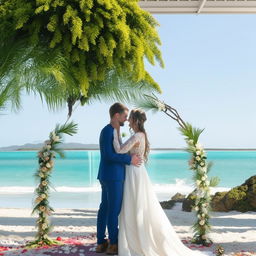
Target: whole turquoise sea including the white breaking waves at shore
{"type": "Point", "coordinates": [75, 177]}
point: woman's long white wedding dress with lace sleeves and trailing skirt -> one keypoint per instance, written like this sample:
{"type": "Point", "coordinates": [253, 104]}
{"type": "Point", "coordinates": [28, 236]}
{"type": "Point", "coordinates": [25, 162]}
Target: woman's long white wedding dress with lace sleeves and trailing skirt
{"type": "Point", "coordinates": [144, 229]}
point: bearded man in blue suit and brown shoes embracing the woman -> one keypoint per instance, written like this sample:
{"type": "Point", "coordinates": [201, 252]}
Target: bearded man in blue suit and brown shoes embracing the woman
{"type": "Point", "coordinates": [111, 176]}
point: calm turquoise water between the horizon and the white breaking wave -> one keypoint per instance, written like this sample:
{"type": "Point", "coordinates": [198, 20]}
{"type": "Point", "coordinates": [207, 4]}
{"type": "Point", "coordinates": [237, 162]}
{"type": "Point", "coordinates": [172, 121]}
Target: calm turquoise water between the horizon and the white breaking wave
{"type": "Point", "coordinates": [80, 168]}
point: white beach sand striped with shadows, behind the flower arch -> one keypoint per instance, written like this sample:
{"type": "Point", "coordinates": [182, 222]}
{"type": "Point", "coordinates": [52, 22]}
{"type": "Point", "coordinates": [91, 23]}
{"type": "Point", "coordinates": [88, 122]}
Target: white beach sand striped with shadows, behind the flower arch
{"type": "Point", "coordinates": [235, 231]}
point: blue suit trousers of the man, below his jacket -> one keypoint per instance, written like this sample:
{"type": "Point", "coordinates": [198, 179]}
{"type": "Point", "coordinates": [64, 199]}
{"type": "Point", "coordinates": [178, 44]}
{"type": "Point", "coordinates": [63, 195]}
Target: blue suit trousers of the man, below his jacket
{"type": "Point", "coordinates": [110, 207]}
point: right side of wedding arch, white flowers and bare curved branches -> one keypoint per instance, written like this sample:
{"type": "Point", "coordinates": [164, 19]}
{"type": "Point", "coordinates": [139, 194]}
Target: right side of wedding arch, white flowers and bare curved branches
{"type": "Point", "coordinates": [197, 163]}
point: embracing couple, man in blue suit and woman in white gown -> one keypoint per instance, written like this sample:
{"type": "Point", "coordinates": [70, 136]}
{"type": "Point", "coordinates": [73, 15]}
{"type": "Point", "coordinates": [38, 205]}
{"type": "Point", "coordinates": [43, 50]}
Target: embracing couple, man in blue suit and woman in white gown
{"type": "Point", "coordinates": [128, 200]}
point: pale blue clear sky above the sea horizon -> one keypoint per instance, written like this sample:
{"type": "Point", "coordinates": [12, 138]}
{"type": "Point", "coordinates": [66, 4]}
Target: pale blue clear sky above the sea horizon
{"type": "Point", "coordinates": [209, 77]}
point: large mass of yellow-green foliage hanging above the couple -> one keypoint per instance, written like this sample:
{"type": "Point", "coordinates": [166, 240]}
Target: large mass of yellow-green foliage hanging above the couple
{"type": "Point", "coordinates": [89, 40]}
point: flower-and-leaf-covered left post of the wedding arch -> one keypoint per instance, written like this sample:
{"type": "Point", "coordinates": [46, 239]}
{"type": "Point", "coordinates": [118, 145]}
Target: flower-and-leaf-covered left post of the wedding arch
{"type": "Point", "coordinates": [41, 203]}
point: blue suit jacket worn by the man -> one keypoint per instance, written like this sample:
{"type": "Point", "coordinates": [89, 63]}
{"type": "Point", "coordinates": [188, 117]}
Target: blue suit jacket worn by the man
{"type": "Point", "coordinates": [112, 165]}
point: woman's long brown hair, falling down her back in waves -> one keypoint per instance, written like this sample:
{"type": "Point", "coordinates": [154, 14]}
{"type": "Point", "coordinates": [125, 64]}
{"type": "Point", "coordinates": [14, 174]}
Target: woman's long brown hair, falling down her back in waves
{"type": "Point", "coordinates": [138, 117]}
